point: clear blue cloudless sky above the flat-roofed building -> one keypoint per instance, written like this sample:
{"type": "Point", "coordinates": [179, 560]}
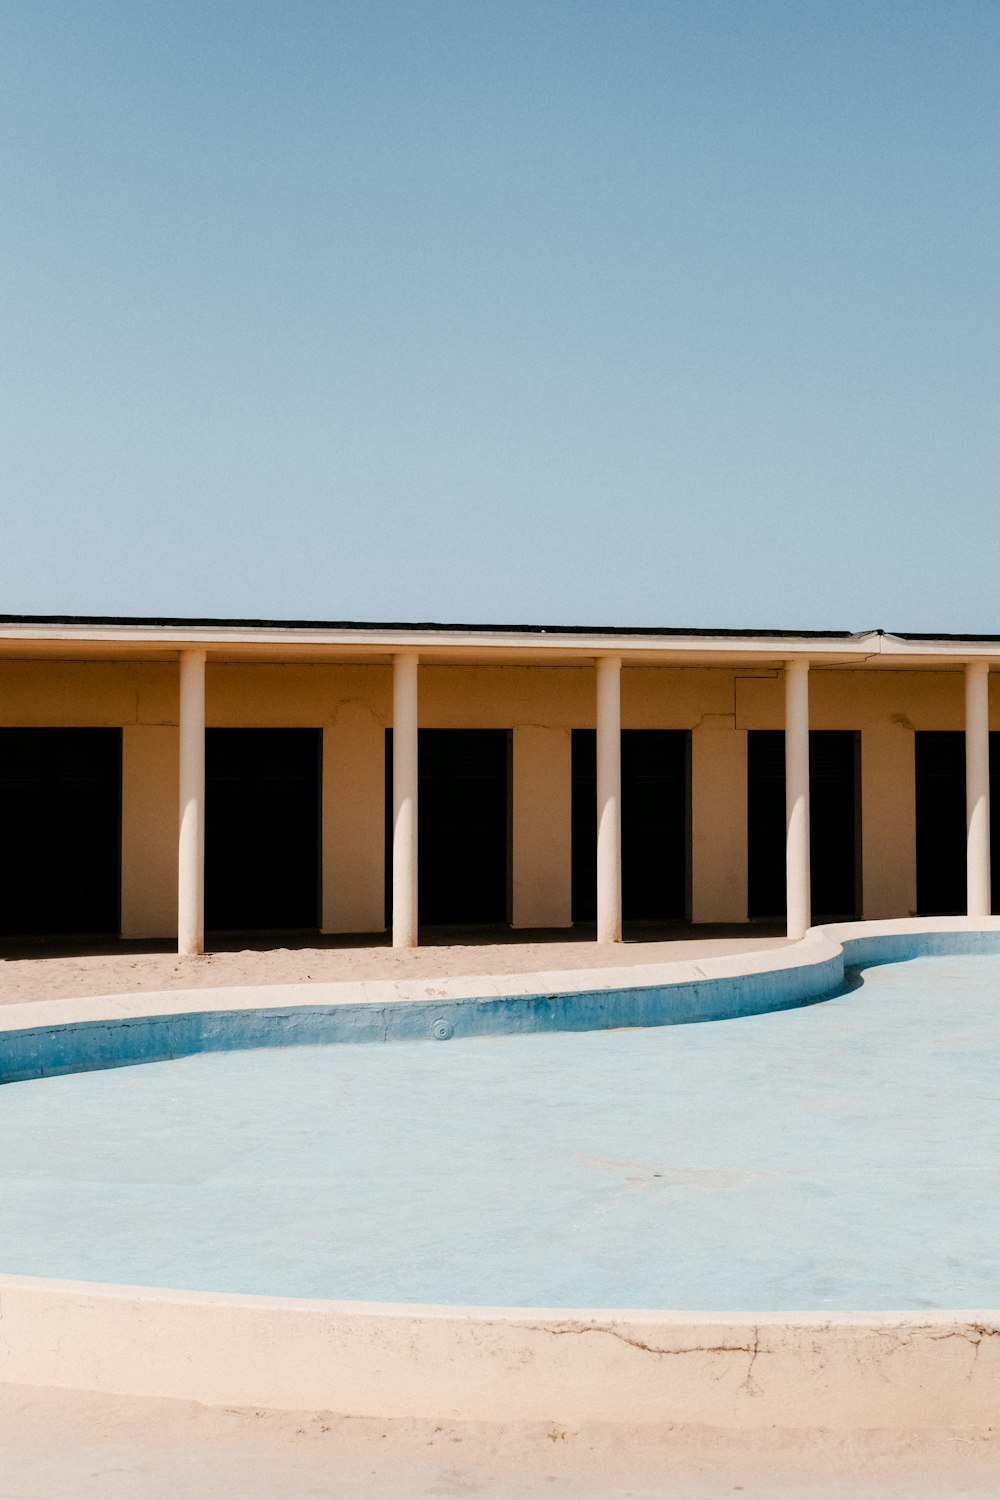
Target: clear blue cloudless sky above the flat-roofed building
{"type": "Point", "coordinates": [560, 311]}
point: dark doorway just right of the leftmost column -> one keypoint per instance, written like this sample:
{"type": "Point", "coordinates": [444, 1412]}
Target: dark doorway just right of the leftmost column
{"type": "Point", "coordinates": [263, 827]}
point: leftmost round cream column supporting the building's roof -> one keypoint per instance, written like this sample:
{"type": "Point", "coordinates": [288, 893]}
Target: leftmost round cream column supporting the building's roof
{"type": "Point", "coordinates": [191, 850]}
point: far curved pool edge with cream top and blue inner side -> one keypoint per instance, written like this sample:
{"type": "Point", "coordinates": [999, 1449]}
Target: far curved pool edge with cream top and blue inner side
{"type": "Point", "coordinates": [44, 1039]}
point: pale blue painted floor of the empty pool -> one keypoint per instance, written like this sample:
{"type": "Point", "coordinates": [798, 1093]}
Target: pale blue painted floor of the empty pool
{"type": "Point", "coordinates": [842, 1156]}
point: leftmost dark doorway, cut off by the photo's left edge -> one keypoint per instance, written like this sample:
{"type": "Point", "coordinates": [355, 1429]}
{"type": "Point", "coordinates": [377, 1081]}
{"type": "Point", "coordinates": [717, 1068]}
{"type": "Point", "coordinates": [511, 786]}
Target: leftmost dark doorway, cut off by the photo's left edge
{"type": "Point", "coordinates": [61, 814]}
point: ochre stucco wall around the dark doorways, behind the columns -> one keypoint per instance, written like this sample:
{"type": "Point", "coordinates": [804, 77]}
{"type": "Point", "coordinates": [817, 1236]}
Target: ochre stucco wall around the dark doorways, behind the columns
{"type": "Point", "coordinates": [353, 707]}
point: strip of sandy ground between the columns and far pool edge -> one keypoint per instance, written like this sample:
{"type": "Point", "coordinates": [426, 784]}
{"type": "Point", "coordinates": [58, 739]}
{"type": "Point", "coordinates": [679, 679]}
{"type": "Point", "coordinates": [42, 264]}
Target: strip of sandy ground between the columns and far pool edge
{"type": "Point", "coordinates": [58, 971]}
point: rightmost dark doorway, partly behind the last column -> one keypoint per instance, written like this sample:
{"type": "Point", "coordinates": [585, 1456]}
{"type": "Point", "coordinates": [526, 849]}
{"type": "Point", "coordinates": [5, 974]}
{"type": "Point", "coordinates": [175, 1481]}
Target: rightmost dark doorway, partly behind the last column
{"type": "Point", "coordinates": [941, 820]}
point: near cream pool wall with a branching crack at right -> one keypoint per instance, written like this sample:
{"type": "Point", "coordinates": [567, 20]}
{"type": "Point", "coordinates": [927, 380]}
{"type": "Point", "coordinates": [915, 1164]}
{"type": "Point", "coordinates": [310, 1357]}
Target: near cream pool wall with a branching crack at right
{"type": "Point", "coordinates": [834, 1372]}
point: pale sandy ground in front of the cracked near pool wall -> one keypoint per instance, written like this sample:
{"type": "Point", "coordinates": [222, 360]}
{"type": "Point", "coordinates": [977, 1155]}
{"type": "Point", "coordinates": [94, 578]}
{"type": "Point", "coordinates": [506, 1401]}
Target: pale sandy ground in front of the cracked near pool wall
{"type": "Point", "coordinates": [58, 1445]}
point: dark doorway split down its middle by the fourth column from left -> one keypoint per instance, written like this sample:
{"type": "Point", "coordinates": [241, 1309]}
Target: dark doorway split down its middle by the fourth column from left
{"type": "Point", "coordinates": [834, 823]}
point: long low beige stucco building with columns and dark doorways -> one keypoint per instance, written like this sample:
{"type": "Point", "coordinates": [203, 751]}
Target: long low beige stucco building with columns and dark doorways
{"type": "Point", "coordinates": [698, 811]}
